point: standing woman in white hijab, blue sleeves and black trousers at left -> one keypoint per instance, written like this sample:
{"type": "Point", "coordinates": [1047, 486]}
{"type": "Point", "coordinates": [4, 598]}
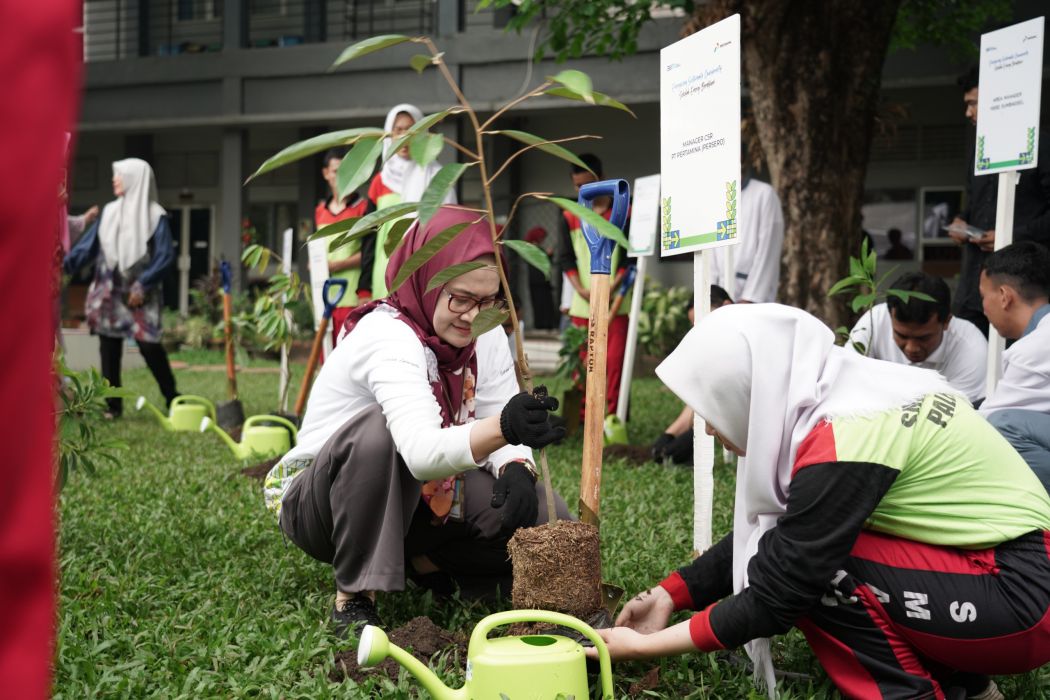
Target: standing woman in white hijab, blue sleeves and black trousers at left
{"type": "Point", "coordinates": [132, 249]}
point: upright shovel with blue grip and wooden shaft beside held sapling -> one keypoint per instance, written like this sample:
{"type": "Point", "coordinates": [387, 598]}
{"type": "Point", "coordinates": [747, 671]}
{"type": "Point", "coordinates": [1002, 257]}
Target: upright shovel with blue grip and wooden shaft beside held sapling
{"type": "Point", "coordinates": [598, 332]}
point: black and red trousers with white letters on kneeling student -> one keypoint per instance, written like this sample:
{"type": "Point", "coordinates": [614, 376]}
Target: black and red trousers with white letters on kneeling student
{"type": "Point", "coordinates": [905, 619]}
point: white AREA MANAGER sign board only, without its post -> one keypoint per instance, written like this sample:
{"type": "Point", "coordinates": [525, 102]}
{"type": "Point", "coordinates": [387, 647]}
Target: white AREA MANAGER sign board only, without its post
{"type": "Point", "coordinates": [1009, 100]}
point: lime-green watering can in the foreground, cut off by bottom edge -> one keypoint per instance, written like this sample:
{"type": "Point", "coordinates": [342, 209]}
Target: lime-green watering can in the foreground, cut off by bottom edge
{"type": "Point", "coordinates": [532, 668]}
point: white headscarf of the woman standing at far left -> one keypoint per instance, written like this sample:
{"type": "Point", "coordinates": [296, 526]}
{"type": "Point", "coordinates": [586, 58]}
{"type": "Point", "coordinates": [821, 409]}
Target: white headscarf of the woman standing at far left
{"type": "Point", "coordinates": [129, 222]}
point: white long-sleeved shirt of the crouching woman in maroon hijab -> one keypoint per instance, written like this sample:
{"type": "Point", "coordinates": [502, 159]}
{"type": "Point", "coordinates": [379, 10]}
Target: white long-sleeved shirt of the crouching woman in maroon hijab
{"type": "Point", "coordinates": [384, 363]}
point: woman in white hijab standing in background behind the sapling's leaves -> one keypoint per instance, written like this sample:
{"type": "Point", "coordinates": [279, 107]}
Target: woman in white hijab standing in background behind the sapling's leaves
{"type": "Point", "coordinates": [401, 180]}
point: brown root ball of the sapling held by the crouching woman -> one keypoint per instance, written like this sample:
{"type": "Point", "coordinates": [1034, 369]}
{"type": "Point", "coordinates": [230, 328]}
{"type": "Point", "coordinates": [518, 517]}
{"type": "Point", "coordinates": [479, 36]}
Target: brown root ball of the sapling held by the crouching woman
{"type": "Point", "coordinates": [558, 567]}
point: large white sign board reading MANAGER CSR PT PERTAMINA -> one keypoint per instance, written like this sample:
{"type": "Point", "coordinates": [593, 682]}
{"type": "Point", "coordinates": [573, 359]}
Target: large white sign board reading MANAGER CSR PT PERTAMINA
{"type": "Point", "coordinates": [701, 139]}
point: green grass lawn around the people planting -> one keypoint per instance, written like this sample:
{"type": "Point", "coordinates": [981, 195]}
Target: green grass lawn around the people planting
{"type": "Point", "coordinates": [176, 582]}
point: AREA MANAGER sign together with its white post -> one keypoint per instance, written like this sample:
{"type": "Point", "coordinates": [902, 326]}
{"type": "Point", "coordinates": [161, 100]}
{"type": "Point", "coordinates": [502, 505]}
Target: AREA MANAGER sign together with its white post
{"type": "Point", "coordinates": [1009, 138]}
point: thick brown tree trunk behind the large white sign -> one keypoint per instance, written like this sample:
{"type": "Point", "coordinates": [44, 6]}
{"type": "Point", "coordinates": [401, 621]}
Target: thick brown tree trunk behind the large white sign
{"type": "Point", "coordinates": [814, 71]}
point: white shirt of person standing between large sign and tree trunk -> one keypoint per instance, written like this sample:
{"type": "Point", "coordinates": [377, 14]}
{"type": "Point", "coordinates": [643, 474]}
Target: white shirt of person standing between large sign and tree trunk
{"type": "Point", "coordinates": [757, 259]}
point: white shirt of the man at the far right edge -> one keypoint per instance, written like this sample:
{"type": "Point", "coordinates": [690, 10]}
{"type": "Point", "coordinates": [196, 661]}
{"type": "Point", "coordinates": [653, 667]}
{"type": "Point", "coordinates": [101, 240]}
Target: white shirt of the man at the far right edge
{"type": "Point", "coordinates": [1026, 374]}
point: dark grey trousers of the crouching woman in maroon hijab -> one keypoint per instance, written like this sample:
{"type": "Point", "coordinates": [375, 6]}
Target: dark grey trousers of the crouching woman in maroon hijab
{"type": "Point", "coordinates": [359, 508]}
